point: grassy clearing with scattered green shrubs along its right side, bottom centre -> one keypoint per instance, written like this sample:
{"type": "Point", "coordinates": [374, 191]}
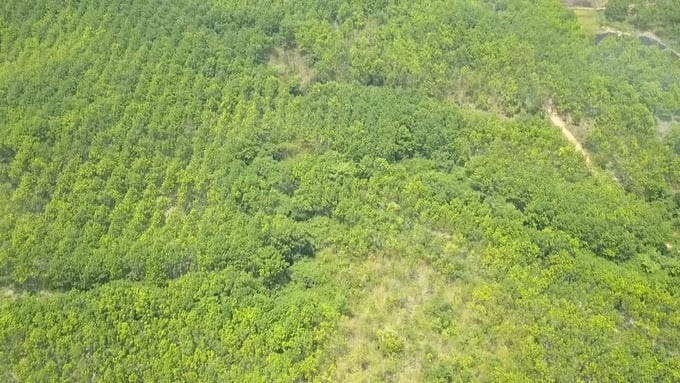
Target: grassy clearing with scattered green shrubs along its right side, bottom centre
{"type": "Point", "coordinates": [410, 320]}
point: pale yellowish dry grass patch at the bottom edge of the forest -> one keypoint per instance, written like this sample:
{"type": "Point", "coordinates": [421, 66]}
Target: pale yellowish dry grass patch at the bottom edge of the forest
{"type": "Point", "coordinates": [391, 334]}
